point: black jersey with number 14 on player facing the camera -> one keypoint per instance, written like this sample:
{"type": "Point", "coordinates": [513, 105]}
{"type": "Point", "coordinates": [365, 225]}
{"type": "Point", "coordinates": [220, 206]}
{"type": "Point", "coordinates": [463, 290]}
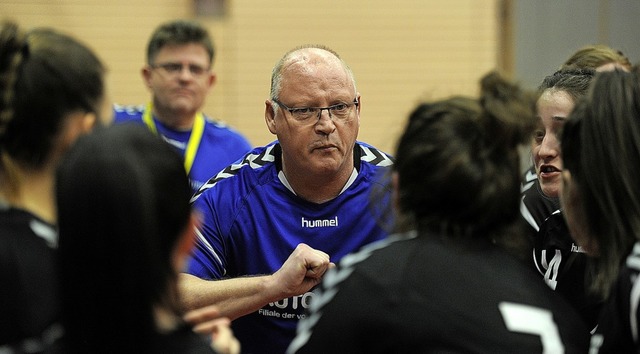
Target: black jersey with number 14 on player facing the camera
{"type": "Point", "coordinates": [557, 258]}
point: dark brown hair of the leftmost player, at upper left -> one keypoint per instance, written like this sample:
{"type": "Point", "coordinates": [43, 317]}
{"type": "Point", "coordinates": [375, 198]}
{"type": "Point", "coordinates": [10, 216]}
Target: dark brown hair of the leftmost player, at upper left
{"type": "Point", "coordinates": [44, 75]}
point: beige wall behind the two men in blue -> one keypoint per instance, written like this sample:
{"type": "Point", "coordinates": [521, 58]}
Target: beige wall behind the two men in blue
{"type": "Point", "coordinates": [400, 51]}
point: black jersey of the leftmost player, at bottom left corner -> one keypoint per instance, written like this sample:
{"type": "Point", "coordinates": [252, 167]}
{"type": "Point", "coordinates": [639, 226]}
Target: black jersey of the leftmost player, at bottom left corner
{"type": "Point", "coordinates": [28, 282]}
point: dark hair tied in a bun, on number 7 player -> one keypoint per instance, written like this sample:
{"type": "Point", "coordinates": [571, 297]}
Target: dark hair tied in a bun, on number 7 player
{"type": "Point", "coordinates": [458, 163]}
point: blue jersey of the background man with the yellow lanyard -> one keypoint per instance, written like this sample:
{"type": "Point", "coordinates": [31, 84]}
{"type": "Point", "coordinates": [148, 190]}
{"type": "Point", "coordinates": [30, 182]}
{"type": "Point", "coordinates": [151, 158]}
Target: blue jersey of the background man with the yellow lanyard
{"type": "Point", "coordinates": [219, 146]}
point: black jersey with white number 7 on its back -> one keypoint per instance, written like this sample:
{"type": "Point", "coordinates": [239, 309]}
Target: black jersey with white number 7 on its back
{"type": "Point", "coordinates": [430, 295]}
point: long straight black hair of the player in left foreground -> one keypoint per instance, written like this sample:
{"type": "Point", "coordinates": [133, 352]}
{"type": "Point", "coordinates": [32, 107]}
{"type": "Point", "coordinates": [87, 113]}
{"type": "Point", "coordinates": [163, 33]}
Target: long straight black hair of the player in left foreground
{"type": "Point", "coordinates": [123, 200]}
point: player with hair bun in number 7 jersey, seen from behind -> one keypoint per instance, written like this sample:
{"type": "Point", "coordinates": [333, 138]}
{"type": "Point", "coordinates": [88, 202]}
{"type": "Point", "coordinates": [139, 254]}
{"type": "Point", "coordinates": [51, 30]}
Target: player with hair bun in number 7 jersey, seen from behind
{"type": "Point", "coordinates": [457, 281]}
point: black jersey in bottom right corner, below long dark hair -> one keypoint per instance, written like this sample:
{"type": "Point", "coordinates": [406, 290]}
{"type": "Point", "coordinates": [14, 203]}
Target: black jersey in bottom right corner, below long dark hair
{"type": "Point", "coordinates": [617, 330]}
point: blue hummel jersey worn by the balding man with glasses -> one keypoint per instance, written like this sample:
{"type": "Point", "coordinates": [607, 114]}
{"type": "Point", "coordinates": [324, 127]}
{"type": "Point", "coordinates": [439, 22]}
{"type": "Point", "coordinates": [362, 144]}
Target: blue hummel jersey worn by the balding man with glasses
{"type": "Point", "coordinates": [252, 221]}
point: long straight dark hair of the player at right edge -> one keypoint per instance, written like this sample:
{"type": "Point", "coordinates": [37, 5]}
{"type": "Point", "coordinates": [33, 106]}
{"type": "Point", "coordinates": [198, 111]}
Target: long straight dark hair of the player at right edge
{"type": "Point", "coordinates": [601, 149]}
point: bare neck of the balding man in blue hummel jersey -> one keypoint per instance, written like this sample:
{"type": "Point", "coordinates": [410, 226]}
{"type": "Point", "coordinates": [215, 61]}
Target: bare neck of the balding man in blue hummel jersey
{"type": "Point", "coordinates": [317, 188]}
